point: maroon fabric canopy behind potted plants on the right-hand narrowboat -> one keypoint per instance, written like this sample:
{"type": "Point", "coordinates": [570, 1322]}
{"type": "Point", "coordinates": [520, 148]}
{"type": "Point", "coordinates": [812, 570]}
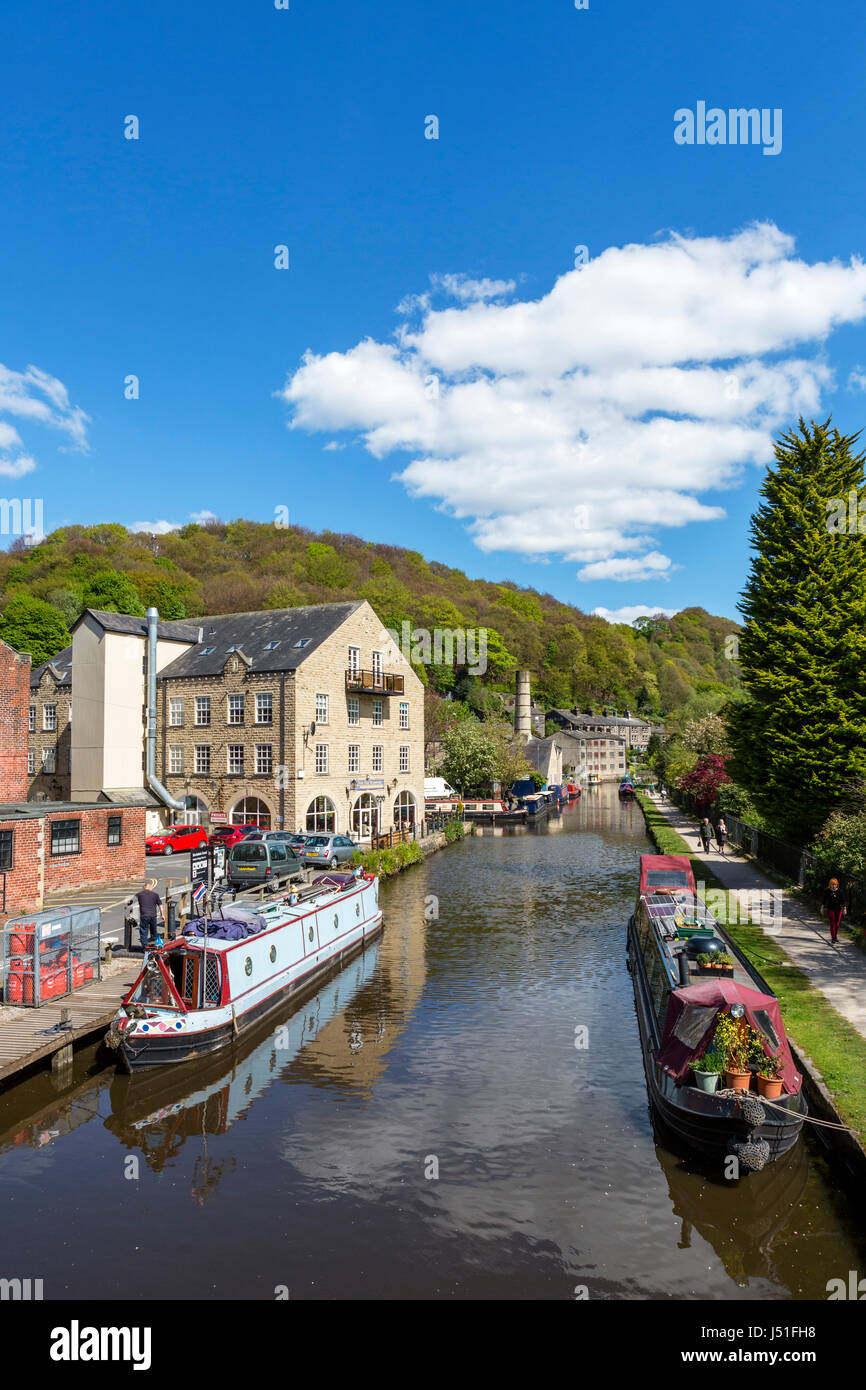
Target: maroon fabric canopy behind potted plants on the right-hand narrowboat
{"type": "Point", "coordinates": [692, 1018]}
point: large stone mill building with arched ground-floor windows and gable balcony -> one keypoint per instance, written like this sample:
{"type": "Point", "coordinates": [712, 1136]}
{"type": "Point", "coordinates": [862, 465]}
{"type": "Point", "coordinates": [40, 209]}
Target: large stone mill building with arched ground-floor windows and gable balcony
{"type": "Point", "coordinates": [298, 719]}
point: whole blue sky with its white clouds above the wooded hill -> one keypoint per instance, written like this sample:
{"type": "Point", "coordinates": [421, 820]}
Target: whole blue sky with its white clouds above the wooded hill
{"type": "Point", "coordinates": [308, 129]}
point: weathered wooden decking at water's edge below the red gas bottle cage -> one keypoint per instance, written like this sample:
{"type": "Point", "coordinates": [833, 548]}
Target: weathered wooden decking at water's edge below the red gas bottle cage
{"type": "Point", "coordinates": [91, 1010]}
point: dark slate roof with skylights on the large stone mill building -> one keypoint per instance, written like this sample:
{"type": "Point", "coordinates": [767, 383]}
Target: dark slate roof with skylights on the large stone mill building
{"type": "Point", "coordinates": [252, 633]}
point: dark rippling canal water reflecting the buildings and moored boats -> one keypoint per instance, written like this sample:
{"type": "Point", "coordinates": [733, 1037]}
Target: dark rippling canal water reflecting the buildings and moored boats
{"type": "Point", "coordinates": [459, 1114]}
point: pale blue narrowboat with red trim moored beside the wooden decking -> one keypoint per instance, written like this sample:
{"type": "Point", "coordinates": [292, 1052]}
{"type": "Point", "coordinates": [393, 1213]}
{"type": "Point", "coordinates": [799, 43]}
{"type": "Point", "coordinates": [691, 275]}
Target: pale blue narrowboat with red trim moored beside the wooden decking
{"type": "Point", "coordinates": [204, 990]}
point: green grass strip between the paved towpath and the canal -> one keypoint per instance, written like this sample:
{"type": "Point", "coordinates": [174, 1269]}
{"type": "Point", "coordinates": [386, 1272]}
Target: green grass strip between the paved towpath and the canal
{"type": "Point", "coordinates": [817, 1028]}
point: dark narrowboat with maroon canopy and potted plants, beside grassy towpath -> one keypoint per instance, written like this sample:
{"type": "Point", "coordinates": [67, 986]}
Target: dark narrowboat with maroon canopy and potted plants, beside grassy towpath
{"type": "Point", "coordinates": [678, 1022]}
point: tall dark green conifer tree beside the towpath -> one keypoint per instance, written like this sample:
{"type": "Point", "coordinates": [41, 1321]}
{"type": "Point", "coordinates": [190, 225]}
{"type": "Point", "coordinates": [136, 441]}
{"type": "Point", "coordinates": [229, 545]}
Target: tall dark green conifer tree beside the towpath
{"type": "Point", "coordinates": [801, 739]}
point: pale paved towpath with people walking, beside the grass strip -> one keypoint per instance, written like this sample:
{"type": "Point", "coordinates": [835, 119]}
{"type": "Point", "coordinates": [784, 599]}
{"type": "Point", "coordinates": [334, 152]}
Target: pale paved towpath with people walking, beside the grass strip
{"type": "Point", "coordinates": [838, 971]}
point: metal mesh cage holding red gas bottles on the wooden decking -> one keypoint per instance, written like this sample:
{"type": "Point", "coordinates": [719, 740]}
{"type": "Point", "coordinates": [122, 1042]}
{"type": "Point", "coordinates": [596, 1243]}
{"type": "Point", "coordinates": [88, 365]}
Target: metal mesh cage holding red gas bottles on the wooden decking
{"type": "Point", "coordinates": [49, 954]}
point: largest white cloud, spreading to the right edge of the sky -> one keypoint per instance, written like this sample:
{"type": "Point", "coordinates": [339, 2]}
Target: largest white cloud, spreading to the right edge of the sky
{"type": "Point", "coordinates": [582, 423]}
